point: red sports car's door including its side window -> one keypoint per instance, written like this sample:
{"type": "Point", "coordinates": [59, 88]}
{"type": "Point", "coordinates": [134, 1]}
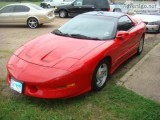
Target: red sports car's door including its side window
{"type": "Point", "coordinates": [127, 45]}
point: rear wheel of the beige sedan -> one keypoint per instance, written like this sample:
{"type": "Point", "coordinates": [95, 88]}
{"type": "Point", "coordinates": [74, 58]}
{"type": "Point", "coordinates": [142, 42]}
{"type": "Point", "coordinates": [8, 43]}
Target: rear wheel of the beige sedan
{"type": "Point", "coordinates": [32, 23]}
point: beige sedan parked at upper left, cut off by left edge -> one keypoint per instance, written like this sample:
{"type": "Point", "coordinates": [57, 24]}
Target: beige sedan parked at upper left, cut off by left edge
{"type": "Point", "coordinates": [25, 13]}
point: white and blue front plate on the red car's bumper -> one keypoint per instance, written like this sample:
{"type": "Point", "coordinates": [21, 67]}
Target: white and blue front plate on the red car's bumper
{"type": "Point", "coordinates": [15, 85]}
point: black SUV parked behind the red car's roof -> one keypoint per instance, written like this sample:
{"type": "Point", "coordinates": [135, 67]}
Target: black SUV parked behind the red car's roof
{"type": "Point", "coordinates": [82, 6]}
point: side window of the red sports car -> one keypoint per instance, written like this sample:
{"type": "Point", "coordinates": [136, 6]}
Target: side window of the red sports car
{"type": "Point", "coordinates": [124, 23]}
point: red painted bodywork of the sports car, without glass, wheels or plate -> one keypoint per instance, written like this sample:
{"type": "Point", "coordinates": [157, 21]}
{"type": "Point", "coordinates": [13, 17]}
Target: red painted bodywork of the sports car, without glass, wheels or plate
{"type": "Point", "coordinates": [53, 66]}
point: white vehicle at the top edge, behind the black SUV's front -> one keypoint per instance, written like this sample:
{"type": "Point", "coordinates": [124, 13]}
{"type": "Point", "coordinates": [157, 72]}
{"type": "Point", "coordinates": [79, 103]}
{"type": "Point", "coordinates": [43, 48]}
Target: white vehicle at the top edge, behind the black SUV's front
{"type": "Point", "coordinates": [53, 3]}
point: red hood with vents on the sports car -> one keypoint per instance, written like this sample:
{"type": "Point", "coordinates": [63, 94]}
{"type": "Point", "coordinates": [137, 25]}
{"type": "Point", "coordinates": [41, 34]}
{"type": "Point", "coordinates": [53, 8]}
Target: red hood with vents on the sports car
{"type": "Point", "coordinates": [49, 50]}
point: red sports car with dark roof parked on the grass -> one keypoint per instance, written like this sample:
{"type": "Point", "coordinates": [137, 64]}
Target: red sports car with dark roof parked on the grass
{"type": "Point", "coordinates": [77, 57]}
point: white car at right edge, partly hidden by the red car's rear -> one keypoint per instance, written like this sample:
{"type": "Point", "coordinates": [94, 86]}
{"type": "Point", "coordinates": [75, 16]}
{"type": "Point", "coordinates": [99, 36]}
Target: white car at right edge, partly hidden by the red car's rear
{"type": "Point", "coordinates": [152, 22]}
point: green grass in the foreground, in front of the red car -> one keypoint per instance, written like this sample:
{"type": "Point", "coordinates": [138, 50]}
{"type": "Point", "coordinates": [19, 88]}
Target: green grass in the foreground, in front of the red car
{"type": "Point", "coordinates": [112, 103]}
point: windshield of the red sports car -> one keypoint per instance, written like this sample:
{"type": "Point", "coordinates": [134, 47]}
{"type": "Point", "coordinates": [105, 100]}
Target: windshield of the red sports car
{"type": "Point", "coordinates": [89, 27]}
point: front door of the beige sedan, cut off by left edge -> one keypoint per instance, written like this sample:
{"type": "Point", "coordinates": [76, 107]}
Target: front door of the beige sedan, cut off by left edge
{"type": "Point", "coordinates": [6, 14]}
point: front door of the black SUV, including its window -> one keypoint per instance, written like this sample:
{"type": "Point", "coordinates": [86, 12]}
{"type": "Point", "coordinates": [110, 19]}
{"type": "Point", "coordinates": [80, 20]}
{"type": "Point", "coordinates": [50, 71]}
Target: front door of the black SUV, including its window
{"type": "Point", "coordinates": [81, 6]}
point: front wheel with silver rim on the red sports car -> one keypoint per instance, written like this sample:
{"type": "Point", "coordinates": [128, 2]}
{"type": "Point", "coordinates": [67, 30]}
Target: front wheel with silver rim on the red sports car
{"type": "Point", "coordinates": [100, 75]}
